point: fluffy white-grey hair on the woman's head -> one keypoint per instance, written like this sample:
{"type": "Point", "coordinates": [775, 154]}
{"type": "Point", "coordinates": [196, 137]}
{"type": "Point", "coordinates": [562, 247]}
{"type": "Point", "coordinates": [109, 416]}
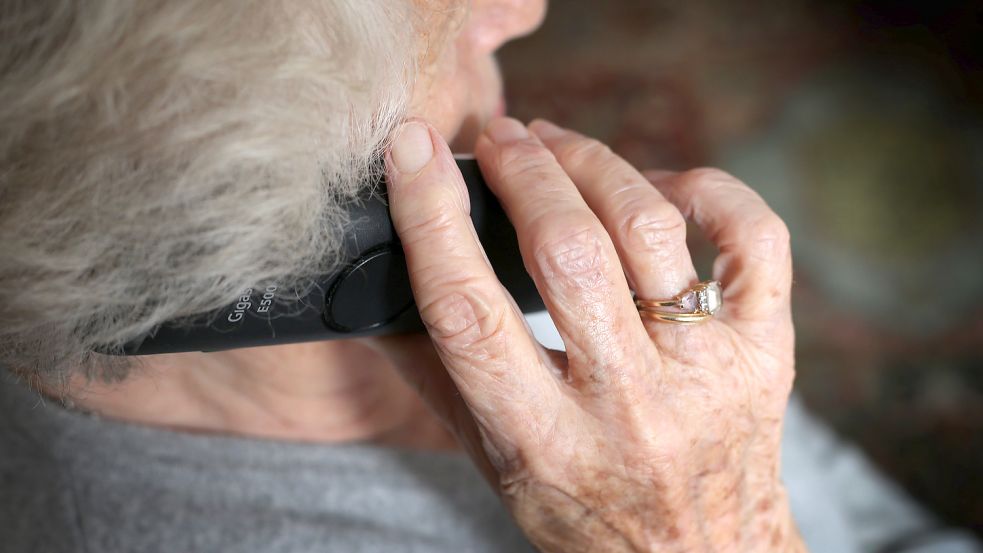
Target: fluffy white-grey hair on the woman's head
{"type": "Point", "coordinates": [158, 157]}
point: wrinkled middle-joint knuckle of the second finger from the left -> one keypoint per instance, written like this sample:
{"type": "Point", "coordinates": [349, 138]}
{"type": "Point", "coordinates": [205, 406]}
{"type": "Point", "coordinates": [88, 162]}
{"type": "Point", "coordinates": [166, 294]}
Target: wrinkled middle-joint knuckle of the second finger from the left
{"type": "Point", "coordinates": [574, 258]}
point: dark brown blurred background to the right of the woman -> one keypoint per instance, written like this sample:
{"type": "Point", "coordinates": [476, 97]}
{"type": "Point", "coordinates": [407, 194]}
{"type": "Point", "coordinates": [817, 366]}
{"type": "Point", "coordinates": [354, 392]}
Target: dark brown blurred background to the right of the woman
{"type": "Point", "coordinates": [861, 123]}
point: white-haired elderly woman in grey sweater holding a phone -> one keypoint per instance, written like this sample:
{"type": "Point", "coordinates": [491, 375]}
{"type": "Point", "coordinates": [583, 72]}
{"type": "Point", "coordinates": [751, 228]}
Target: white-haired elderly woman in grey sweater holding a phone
{"type": "Point", "coordinates": [159, 157]}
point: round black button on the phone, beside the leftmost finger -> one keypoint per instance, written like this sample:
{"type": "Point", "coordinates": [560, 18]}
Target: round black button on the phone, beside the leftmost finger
{"type": "Point", "coordinates": [371, 292]}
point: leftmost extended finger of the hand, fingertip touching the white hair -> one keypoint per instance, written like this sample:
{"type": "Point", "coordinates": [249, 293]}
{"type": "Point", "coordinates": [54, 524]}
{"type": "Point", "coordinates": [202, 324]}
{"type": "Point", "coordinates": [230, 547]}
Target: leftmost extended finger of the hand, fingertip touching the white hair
{"type": "Point", "coordinates": [478, 333]}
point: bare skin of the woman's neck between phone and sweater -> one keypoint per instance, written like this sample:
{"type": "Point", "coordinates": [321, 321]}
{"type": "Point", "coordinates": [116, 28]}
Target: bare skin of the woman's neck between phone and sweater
{"type": "Point", "coordinates": [338, 391]}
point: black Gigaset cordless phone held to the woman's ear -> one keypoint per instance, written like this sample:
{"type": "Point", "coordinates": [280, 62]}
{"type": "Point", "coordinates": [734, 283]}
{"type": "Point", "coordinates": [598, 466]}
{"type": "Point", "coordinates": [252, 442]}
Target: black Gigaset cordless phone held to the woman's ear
{"type": "Point", "coordinates": [369, 295]}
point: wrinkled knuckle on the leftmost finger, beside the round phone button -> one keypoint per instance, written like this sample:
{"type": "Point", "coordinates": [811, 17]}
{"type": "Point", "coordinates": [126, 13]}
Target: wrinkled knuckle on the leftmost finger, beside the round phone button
{"type": "Point", "coordinates": [462, 323]}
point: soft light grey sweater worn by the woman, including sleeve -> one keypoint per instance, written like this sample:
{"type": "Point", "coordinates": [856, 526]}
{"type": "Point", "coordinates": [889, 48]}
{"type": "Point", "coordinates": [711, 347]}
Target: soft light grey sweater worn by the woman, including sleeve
{"type": "Point", "coordinates": [74, 482]}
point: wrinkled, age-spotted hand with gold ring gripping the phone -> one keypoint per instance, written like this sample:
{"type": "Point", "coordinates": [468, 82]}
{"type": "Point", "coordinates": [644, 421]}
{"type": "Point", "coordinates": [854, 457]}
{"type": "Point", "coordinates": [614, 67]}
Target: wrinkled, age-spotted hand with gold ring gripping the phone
{"type": "Point", "coordinates": [644, 435]}
